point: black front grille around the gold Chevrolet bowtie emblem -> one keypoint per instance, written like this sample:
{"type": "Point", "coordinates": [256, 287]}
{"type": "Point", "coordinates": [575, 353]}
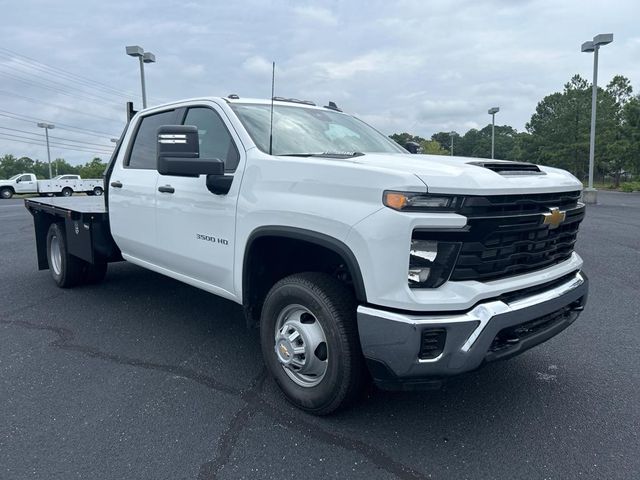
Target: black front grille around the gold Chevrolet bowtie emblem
{"type": "Point", "coordinates": [506, 235]}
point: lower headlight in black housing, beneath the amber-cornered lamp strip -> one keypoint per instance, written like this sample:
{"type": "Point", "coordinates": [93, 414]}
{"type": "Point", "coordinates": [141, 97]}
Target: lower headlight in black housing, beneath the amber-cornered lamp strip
{"type": "Point", "coordinates": [431, 262]}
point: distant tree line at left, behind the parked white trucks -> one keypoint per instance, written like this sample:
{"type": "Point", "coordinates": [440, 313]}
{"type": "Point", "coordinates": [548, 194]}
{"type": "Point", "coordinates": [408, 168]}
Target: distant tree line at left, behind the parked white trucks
{"type": "Point", "coordinates": [11, 165]}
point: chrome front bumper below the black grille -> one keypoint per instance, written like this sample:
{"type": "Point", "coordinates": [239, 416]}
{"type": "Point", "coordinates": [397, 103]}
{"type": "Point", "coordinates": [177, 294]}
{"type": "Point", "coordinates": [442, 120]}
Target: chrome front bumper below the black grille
{"type": "Point", "coordinates": [391, 341]}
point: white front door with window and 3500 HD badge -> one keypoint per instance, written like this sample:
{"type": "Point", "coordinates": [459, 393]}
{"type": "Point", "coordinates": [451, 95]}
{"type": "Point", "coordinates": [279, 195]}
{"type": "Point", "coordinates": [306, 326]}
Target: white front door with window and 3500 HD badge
{"type": "Point", "coordinates": [196, 228]}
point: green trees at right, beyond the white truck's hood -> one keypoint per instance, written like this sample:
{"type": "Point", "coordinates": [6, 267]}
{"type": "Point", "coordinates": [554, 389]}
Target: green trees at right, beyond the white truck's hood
{"type": "Point", "coordinates": [558, 132]}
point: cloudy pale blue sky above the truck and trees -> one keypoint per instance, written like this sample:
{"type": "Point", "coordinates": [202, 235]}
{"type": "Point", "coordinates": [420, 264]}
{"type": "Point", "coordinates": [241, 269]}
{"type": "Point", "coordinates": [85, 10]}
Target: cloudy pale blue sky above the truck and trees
{"type": "Point", "coordinates": [410, 65]}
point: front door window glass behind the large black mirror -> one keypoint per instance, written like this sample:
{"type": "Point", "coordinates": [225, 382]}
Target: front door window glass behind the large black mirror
{"type": "Point", "coordinates": [215, 139]}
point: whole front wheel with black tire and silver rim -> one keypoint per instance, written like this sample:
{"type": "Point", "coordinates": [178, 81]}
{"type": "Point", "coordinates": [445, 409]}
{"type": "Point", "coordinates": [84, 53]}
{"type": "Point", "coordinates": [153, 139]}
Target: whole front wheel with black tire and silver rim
{"type": "Point", "coordinates": [310, 342]}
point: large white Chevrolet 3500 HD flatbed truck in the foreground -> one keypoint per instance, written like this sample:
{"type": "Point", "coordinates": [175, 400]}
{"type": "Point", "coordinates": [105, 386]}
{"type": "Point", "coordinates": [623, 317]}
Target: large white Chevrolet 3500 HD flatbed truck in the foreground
{"type": "Point", "coordinates": [356, 259]}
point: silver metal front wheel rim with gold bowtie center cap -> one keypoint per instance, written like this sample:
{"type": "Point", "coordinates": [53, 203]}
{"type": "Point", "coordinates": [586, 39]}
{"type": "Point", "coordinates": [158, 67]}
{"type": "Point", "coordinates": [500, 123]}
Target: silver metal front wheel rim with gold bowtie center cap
{"type": "Point", "coordinates": [301, 346]}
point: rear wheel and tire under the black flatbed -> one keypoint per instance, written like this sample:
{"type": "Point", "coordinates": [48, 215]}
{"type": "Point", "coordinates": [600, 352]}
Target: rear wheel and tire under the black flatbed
{"type": "Point", "coordinates": [66, 270]}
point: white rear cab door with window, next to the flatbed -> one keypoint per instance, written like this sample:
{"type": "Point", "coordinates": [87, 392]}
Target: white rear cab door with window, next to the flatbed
{"type": "Point", "coordinates": [132, 191]}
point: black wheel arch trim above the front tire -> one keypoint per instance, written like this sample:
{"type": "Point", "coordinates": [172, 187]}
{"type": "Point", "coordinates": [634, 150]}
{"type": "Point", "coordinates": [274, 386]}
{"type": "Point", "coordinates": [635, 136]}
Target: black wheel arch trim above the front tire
{"type": "Point", "coordinates": [310, 236]}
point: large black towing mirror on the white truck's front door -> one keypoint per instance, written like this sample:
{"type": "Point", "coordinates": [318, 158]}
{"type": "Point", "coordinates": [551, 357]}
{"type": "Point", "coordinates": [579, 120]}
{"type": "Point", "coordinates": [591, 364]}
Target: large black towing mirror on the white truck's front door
{"type": "Point", "coordinates": [179, 153]}
